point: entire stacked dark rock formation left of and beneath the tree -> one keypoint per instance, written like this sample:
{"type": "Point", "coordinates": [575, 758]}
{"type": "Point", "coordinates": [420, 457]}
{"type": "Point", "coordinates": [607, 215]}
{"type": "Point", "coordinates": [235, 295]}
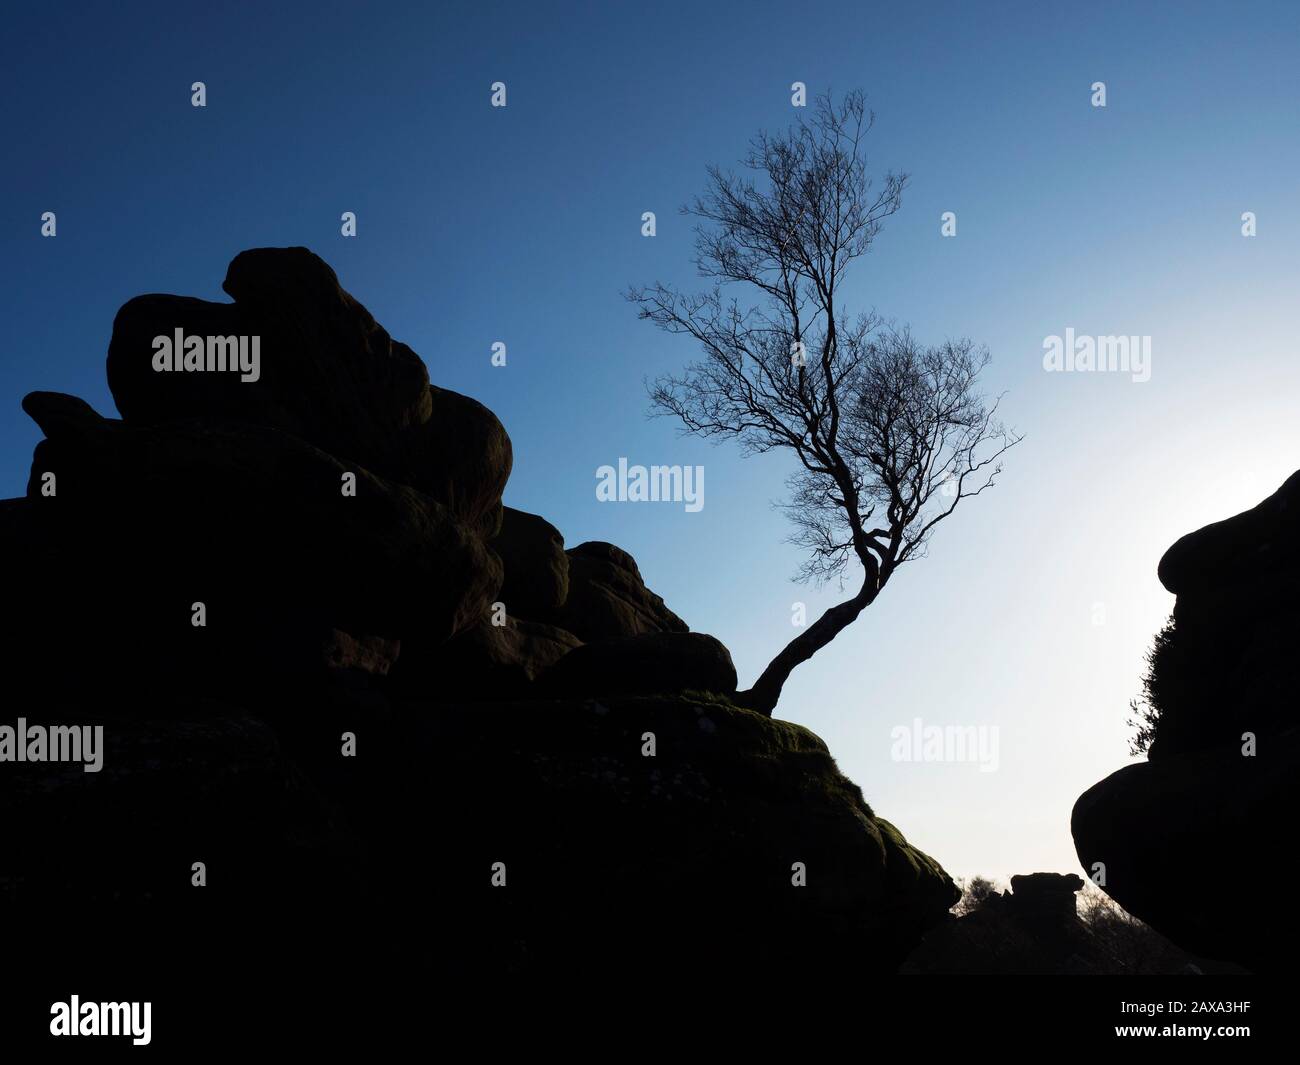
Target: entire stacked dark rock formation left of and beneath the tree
{"type": "Point", "coordinates": [241, 579]}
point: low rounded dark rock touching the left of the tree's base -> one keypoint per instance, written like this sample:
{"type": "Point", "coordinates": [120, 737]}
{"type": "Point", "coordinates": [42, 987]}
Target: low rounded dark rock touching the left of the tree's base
{"type": "Point", "coordinates": [651, 664]}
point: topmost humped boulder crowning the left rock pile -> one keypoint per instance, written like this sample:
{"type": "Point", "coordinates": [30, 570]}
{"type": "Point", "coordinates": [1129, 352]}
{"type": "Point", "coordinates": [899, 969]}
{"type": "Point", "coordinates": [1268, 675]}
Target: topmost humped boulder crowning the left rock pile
{"type": "Point", "coordinates": [328, 374]}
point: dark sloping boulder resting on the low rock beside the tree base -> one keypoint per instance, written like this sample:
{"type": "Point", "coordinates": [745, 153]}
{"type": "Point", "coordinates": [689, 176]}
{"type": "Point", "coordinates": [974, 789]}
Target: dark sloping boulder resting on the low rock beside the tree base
{"type": "Point", "coordinates": [609, 600]}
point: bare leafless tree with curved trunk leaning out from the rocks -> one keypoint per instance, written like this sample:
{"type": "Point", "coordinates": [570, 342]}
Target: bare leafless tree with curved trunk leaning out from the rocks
{"type": "Point", "coordinates": [890, 435]}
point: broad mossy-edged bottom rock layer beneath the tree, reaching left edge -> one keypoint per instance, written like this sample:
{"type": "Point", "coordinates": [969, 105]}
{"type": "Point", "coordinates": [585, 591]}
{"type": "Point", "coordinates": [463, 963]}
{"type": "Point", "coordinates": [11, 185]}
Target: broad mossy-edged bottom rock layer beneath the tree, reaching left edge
{"type": "Point", "coordinates": [736, 851]}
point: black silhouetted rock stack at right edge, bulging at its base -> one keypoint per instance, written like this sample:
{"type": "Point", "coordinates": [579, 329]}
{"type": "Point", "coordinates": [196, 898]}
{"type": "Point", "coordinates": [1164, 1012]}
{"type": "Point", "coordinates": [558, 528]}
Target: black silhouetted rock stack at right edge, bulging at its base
{"type": "Point", "coordinates": [1182, 835]}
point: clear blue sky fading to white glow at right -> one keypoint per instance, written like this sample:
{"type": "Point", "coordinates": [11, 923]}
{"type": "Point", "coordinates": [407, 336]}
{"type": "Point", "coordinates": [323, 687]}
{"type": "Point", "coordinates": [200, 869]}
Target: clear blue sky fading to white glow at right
{"type": "Point", "coordinates": [523, 226]}
